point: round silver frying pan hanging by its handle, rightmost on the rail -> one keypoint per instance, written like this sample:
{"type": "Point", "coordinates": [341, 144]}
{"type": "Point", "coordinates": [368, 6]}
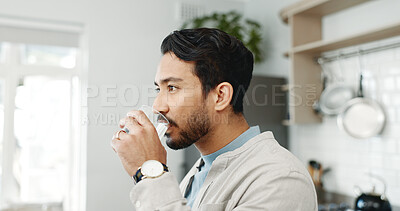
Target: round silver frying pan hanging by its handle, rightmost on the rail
{"type": "Point", "coordinates": [362, 117]}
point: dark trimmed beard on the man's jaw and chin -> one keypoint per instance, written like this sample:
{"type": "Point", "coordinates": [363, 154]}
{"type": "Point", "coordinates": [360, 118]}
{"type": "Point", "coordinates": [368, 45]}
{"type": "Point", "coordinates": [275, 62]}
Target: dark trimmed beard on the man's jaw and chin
{"type": "Point", "coordinates": [197, 126]}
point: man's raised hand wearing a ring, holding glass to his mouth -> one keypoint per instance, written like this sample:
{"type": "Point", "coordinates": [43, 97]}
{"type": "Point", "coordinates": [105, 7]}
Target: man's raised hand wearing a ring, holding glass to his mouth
{"type": "Point", "coordinates": [141, 144]}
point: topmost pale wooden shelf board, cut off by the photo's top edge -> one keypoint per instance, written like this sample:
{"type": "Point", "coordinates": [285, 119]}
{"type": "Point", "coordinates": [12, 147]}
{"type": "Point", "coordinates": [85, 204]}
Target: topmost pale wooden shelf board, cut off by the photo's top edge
{"type": "Point", "coordinates": [318, 7]}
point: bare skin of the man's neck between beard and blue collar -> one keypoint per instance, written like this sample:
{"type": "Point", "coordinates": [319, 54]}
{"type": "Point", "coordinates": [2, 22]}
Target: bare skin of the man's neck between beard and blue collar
{"type": "Point", "coordinates": [222, 134]}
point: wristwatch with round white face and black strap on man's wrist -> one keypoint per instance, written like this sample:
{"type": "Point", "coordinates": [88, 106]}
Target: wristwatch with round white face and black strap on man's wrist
{"type": "Point", "coordinates": [150, 169]}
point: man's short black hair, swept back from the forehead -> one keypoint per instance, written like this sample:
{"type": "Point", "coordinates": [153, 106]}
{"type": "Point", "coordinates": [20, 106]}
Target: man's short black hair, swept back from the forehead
{"type": "Point", "coordinates": [218, 56]}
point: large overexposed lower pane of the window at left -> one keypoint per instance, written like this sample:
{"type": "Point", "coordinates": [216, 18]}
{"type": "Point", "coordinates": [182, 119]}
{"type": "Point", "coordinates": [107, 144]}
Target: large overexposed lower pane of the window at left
{"type": "Point", "coordinates": [41, 119]}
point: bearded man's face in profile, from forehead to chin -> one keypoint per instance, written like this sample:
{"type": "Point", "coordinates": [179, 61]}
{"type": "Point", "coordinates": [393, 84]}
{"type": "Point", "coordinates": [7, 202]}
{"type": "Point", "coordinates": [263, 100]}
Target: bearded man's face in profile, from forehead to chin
{"type": "Point", "coordinates": [181, 100]}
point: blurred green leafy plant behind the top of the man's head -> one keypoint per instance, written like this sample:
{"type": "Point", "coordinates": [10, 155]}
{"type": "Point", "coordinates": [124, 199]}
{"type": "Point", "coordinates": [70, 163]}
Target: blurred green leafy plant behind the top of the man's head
{"type": "Point", "coordinates": [248, 31]}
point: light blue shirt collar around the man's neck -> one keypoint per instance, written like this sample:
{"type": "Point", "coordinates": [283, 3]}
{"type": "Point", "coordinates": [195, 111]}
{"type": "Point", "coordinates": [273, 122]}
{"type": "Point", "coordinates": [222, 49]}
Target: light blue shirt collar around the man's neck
{"type": "Point", "coordinates": [236, 143]}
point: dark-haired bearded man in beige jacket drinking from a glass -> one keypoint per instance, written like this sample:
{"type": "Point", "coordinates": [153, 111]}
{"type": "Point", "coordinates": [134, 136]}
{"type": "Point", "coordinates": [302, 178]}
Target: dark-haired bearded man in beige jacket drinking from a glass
{"type": "Point", "coordinates": [201, 79]}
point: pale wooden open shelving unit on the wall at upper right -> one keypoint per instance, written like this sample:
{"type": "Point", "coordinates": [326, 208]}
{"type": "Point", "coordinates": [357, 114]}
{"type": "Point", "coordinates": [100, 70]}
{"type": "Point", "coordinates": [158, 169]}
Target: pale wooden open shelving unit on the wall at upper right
{"type": "Point", "coordinates": [305, 21]}
